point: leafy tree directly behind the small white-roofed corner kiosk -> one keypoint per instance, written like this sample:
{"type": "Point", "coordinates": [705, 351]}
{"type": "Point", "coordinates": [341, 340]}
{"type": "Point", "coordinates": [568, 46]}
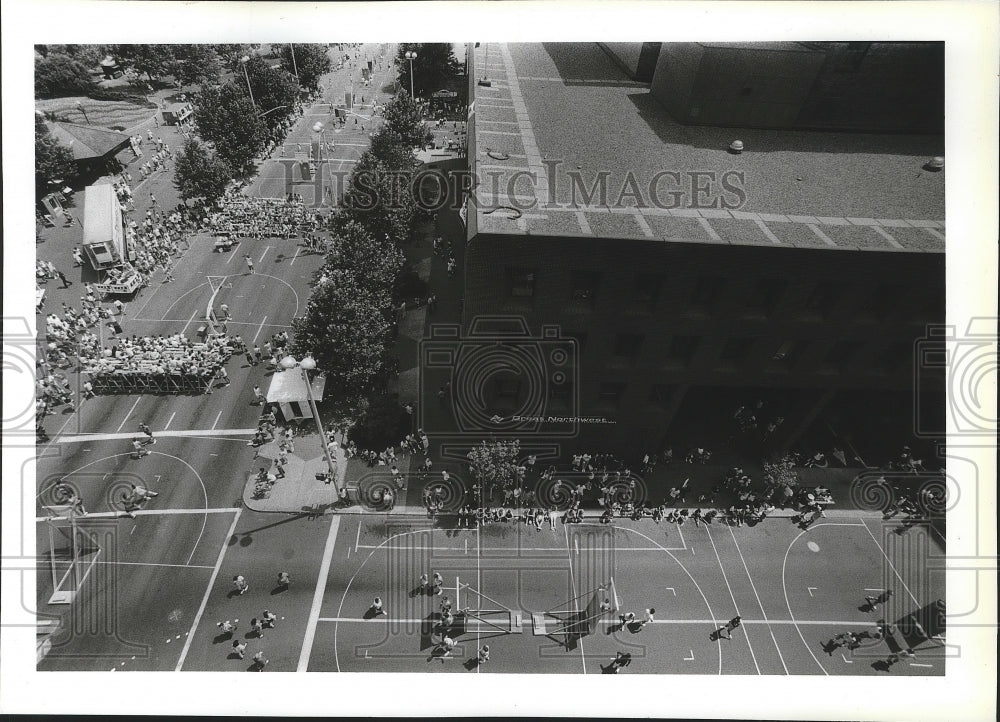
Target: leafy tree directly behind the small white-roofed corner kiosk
{"type": "Point", "coordinates": [345, 329]}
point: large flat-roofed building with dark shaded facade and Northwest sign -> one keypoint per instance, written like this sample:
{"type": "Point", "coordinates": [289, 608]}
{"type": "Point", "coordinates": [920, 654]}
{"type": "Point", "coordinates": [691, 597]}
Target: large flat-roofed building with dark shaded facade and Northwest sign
{"type": "Point", "coordinates": [802, 271]}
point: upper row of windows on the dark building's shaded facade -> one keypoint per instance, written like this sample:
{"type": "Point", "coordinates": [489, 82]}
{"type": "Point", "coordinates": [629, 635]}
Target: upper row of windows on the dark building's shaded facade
{"type": "Point", "coordinates": [762, 299]}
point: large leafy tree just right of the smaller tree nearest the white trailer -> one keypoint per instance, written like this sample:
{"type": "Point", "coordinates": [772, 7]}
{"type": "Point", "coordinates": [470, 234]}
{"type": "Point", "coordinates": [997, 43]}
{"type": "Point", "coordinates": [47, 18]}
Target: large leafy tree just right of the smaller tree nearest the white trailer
{"type": "Point", "coordinates": [227, 119]}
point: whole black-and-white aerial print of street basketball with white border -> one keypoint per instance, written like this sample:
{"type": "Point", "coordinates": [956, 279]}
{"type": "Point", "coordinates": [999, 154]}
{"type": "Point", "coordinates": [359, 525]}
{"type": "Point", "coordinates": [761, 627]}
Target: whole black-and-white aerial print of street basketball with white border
{"type": "Point", "coordinates": [551, 357]}
